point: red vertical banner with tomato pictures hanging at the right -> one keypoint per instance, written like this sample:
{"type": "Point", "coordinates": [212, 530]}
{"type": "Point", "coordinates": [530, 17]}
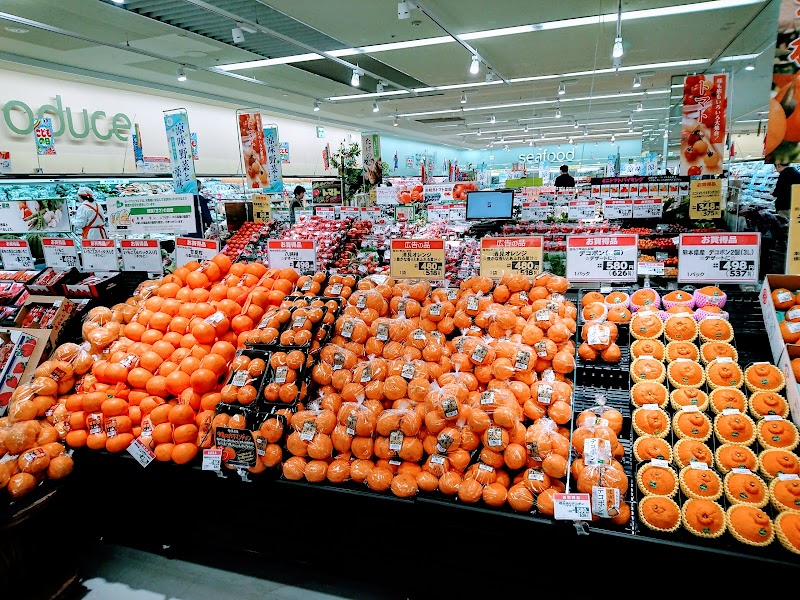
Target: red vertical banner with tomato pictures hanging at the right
{"type": "Point", "coordinates": [703, 125]}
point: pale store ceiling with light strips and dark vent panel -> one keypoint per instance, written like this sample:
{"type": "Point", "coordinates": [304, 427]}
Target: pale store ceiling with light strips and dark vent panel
{"type": "Point", "coordinates": [298, 52]}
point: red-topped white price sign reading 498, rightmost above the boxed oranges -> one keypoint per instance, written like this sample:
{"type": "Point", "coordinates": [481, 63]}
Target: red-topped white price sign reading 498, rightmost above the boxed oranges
{"type": "Point", "coordinates": [719, 257]}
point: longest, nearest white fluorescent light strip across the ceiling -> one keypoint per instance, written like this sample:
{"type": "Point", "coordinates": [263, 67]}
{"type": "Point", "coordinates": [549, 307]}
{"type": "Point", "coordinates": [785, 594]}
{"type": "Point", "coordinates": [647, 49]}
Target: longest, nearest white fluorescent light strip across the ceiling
{"type": "Point", "coordinates": [504, 31]}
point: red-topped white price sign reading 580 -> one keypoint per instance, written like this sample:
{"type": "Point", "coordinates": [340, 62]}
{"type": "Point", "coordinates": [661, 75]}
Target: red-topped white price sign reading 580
{"type": "Point", "coordinates": [602, 258]}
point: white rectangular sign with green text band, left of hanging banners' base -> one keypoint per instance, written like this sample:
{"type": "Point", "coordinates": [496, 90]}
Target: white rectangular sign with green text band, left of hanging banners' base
{"type": "Point", "coordinates": [173, 213]}
